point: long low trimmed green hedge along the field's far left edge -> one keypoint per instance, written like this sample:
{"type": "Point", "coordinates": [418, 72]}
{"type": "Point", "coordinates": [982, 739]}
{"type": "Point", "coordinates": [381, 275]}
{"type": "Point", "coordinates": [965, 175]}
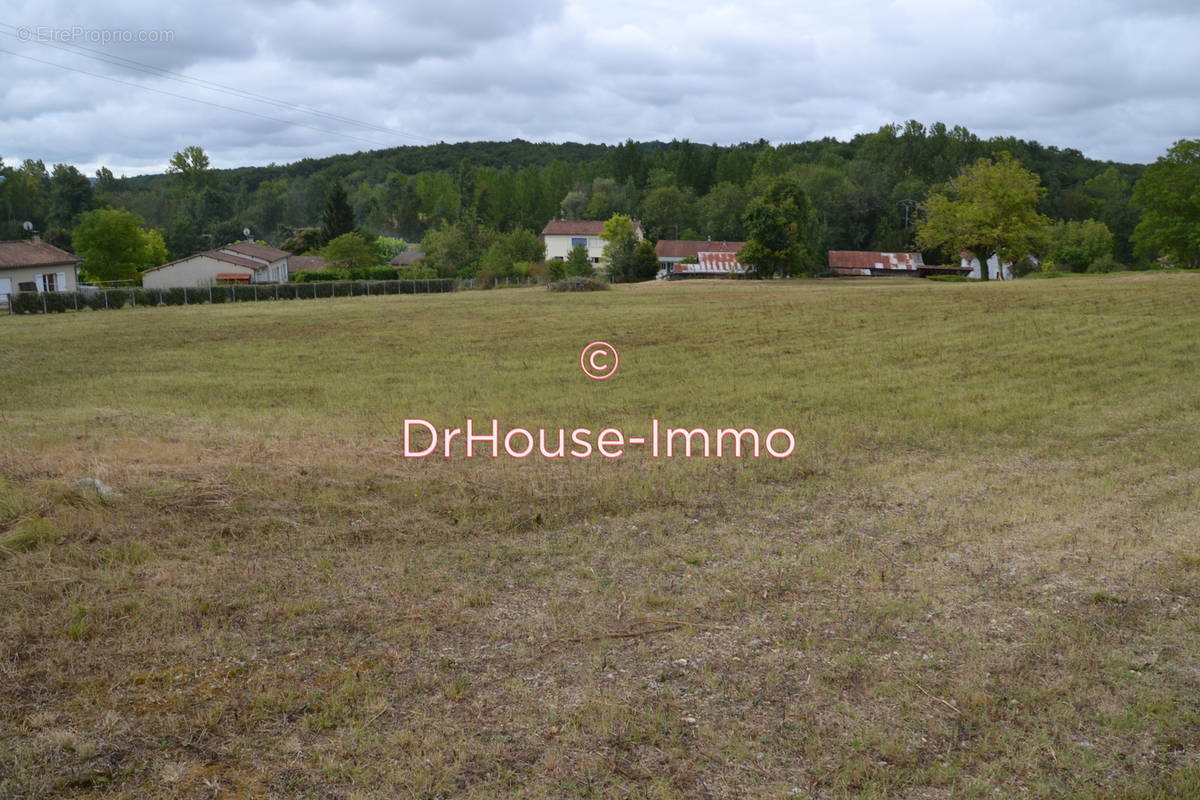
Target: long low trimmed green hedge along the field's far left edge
{"type": "Point", "coordinates": [33, 303]}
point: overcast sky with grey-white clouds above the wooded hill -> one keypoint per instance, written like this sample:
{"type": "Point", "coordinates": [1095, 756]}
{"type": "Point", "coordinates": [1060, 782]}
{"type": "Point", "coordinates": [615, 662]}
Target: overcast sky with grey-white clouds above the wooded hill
{"type": "Point", "coordinates": [1114, 79]}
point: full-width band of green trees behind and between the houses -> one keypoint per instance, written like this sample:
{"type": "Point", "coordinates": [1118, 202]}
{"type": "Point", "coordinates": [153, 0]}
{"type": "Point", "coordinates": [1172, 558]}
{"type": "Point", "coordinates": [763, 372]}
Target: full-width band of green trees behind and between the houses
{"type": "Point", "coordinates": [477, 208]}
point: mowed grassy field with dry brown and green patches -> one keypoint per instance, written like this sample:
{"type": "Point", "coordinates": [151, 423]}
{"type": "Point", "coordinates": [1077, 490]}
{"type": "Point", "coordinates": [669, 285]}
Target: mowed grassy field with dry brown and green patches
{"type": "Point", "coordinates": [977, 578]}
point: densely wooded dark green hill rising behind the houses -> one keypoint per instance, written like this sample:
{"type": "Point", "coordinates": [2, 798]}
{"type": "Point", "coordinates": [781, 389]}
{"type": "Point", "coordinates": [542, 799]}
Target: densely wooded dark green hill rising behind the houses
{"type": "Point", "coordinates": [863, 193]}
